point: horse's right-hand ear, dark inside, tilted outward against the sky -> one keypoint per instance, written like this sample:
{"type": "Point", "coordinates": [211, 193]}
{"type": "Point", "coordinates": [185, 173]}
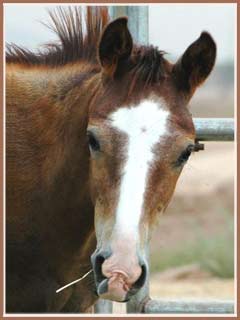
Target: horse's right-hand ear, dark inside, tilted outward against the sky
{"type": "Point", "coordinates": [196, 63]}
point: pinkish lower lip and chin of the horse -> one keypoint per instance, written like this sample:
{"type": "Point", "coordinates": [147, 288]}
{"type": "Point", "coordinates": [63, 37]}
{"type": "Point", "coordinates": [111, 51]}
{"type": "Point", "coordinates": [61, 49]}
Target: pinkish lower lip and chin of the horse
{"type": "Point", "coordinates": [114, 289]}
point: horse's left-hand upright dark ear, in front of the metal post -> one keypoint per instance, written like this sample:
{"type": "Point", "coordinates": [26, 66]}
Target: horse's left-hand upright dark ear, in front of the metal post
{"type": "Point", "coordinates": [115, 45]}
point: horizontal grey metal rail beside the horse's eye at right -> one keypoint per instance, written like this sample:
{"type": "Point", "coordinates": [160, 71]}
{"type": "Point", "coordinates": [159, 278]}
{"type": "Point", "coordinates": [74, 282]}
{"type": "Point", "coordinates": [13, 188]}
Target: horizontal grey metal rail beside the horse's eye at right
{"type": "Point", "coordinates": [214, 129]}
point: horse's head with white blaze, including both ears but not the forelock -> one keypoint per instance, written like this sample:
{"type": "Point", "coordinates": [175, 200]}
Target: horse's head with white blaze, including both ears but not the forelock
{"type": "Point", "coordinates": [138, 147]}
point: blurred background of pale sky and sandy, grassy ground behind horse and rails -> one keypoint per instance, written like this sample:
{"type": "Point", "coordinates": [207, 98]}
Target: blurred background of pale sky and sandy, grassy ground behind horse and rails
{"type": "Point", "coordinates": [192, 250]}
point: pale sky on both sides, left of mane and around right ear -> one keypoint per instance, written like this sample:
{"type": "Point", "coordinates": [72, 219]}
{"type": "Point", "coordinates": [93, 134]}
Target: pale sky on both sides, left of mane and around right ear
{"type": "Point", "coordinates": [172, 27]}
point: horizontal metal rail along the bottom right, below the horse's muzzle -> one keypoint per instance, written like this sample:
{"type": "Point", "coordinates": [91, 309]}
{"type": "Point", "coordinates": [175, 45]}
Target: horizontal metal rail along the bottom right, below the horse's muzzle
{"type": "Point", "coordinates": [189, 306]}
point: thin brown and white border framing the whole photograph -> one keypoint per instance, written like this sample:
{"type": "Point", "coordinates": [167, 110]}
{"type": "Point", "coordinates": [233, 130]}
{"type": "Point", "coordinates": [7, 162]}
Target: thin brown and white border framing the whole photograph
{"type": "Point", "coordinates": [2, 159]}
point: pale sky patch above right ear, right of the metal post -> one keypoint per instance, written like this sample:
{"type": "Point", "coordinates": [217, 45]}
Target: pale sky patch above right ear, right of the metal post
{"type": "Point", "coordinates": [176, 26]}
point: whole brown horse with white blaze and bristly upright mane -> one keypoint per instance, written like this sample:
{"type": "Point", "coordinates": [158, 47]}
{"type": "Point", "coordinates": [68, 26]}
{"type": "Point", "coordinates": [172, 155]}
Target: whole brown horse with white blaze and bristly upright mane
{"type": "Point", "coordinates": [98, 132]}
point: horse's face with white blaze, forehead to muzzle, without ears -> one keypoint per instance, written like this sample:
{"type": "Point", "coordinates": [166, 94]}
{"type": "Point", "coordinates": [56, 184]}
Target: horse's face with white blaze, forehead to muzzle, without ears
{"type": "Point", "coordinates": [137, 154]}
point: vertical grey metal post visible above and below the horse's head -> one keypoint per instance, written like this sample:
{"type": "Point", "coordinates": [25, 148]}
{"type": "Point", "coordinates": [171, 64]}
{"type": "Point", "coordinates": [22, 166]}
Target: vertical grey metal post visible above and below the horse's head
{"type": "Point", "coordinates": [138, 26]}
